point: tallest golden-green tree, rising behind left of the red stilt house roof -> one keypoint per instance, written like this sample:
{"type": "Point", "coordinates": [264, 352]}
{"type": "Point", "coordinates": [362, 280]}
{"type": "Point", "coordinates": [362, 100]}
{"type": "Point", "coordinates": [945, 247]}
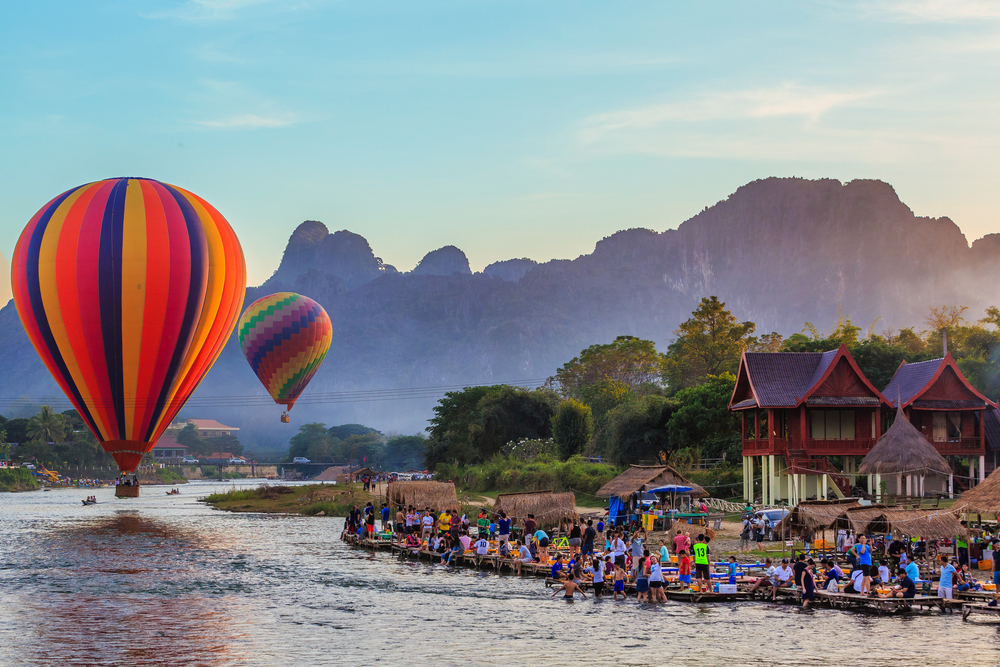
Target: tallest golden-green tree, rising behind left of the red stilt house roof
{"type": "Point", "coordinates": [709, 343]}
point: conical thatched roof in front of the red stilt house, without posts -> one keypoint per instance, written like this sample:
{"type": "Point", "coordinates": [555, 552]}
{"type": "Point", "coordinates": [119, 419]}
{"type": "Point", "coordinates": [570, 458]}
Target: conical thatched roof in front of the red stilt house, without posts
{"type": "Point", "coordinates": [902, 450]}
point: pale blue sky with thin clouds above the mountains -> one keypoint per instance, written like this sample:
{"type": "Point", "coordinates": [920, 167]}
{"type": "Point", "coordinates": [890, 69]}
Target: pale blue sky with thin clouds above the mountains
{"type": "Point", "coordinates": [509, 129]}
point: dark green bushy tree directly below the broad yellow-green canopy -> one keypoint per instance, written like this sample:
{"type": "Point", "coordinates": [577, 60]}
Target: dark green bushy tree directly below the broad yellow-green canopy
{"type": "Point", "coordinates": [637, 430]}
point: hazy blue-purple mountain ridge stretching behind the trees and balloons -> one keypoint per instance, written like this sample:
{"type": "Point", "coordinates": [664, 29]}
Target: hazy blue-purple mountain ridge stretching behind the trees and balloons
{"type": "Point", "coordinates": [778, 251]}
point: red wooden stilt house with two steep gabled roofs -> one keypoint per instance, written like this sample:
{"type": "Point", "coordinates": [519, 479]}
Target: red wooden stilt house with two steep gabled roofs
{"type": "Point", "coordinates": [809, 418]}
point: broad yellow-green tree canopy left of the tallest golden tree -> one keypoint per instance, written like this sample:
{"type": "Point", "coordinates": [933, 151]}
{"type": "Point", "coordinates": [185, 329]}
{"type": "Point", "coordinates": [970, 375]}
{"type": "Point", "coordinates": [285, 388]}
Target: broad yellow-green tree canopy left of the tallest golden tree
{"type": "Point", "coordinates": [628, 360]}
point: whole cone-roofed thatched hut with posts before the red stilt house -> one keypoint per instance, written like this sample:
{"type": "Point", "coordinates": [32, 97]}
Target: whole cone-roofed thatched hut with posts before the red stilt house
{"type": "Point", "coordinates": [903, 452]}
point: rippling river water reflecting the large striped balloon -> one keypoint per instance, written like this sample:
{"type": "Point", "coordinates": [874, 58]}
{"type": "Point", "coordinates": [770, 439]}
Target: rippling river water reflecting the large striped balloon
{"type": "Point", "coordinates": [166, 581]}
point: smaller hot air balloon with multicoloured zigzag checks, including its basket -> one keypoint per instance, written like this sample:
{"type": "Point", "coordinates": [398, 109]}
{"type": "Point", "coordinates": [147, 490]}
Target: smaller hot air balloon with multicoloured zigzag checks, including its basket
{"type": "Point", "coordinates": [285, 337]}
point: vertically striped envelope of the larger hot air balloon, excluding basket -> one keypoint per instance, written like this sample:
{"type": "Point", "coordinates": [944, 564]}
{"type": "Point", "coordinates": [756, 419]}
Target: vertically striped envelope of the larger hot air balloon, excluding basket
{"type": "Point", "coordinates": [128, 289]}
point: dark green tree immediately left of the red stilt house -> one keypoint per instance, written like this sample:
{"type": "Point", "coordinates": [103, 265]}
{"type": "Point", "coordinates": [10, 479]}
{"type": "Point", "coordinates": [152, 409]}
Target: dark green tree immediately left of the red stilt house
{"type": "Point", "coordinates": [703, 421]}
